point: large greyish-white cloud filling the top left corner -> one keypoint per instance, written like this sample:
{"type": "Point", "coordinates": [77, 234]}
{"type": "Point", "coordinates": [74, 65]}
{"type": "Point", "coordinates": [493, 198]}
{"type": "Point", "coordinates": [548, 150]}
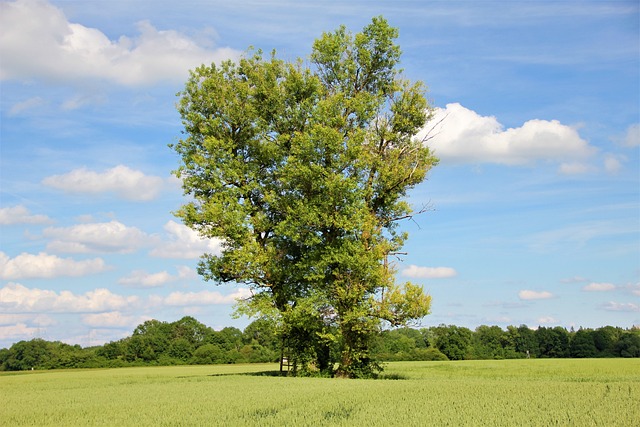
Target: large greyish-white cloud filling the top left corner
{"type": "Point", "coordinates": [39, 42]}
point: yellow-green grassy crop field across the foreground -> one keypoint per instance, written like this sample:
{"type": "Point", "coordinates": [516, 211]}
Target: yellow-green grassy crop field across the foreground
{"type": "Point", "coordinates": [541, 392]}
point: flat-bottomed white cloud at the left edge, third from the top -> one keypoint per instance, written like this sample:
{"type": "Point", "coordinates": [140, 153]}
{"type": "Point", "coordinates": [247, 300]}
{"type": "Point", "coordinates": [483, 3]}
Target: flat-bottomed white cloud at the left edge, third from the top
{"type": "Point", "coordinates": [45, 266]}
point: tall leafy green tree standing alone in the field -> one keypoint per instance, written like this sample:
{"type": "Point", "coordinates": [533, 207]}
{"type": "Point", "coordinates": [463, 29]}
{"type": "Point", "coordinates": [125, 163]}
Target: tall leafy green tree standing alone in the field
{"type": "Point", "coordinates": [302, 170]}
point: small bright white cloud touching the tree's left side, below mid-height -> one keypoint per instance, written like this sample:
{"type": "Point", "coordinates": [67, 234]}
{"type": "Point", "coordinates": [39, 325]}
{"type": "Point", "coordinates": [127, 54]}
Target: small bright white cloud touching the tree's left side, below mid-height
{"type": "Point", "coordinates": [185, 243]}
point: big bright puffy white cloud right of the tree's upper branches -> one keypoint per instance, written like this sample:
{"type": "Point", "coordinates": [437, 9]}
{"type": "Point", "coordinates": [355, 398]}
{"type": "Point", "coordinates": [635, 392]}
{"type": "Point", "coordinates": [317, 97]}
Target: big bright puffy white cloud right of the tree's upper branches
{"type": "Point", "coordinates": [464, 136]}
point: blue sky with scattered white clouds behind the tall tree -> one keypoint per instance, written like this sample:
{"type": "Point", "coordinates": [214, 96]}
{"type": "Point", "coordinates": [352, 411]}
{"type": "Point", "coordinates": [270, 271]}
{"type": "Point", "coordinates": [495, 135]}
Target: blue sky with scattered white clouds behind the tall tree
{"type": "Point", "coordinates": [533, 213]}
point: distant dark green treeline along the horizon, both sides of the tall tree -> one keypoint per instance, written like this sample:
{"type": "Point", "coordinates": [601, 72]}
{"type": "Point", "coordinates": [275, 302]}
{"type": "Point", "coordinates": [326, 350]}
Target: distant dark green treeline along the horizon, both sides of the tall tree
{"type": "Point", "coordinates": [188, 341]}
